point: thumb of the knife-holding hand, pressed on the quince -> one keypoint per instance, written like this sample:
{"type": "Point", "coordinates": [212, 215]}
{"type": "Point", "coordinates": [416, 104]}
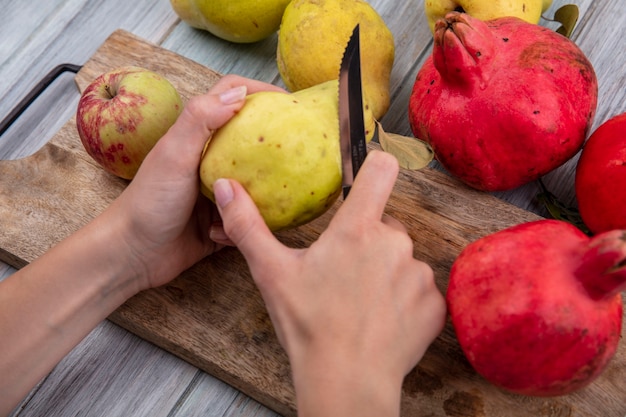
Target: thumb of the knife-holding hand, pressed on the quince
{"type": "Point", "coordinates": [243, 223]}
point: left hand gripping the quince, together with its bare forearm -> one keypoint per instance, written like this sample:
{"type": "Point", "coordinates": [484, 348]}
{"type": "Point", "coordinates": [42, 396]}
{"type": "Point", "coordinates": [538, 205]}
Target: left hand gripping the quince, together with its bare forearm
{"type": "Point", "coordinates": [158, 227]}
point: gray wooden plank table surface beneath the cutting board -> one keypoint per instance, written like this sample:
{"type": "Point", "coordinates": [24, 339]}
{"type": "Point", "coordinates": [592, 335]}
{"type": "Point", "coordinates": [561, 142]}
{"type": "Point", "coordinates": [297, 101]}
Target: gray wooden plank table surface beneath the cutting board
{"type": "Point", "coordinates": [112, 372]}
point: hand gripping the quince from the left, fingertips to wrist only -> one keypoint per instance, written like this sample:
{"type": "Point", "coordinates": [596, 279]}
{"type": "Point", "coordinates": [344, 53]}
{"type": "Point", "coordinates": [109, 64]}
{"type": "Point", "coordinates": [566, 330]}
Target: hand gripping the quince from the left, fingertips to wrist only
{"type": "Point", "coordinates": [166, 222]}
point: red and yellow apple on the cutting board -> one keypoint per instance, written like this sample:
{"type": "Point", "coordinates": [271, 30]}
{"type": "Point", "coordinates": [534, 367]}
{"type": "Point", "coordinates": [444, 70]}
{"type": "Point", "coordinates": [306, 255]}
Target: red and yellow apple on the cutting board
{"type": "Point", "coordinates": [122, 114]}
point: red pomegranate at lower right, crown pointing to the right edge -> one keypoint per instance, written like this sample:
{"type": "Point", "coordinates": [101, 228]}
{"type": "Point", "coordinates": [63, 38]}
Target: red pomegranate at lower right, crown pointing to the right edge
{"type": "Point", "coordinates": [537, 307]}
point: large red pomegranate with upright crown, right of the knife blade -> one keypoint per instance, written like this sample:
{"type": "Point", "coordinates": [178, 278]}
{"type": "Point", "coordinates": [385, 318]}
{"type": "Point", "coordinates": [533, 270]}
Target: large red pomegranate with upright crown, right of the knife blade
{"type": "Point", "coordinates": [502, 102]}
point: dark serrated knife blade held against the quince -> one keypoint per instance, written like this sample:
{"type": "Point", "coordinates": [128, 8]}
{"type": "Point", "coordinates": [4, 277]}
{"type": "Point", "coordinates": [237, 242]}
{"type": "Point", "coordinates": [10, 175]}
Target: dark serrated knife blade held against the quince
{"type": "Point", "coordinates": [351, 123]}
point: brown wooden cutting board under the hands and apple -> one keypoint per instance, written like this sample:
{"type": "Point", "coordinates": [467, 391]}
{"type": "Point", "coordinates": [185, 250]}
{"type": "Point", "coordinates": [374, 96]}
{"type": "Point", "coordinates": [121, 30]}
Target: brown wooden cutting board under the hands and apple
{"type": "Point", "coordinates": [212, 315]}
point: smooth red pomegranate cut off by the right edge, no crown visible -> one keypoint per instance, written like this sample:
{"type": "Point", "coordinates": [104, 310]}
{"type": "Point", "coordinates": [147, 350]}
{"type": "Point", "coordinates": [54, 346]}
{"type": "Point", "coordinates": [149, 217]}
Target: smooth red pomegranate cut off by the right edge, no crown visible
{"type": "Point", "coordinates": [601, 177]}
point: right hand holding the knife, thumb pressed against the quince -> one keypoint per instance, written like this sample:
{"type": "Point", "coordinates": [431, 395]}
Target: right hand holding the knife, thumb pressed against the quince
{"type": "Point", "coordinates": [355, 311]}
